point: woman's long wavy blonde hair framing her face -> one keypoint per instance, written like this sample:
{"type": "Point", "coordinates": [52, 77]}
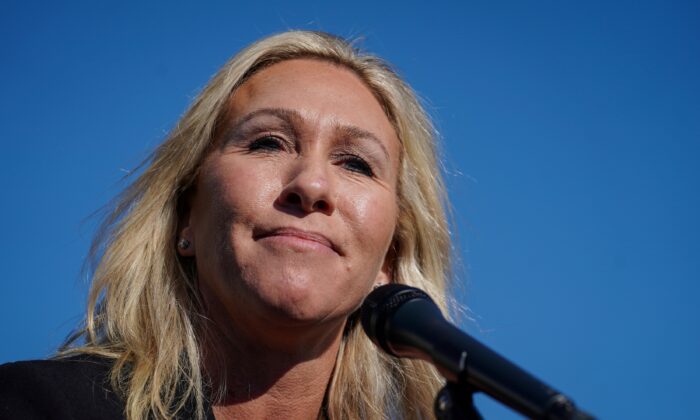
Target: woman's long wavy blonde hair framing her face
{"type": "Point", "coordinates": [144, 310]}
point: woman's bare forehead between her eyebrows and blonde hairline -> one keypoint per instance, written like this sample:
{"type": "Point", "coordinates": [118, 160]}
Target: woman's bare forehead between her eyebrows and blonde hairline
{"type": "Point", "coordinates": [320, 91]}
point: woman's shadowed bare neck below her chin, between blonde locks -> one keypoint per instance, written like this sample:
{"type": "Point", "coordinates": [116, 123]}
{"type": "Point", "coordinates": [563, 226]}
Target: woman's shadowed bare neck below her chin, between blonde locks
{"type": "Point", "coordinates": [273, 375]}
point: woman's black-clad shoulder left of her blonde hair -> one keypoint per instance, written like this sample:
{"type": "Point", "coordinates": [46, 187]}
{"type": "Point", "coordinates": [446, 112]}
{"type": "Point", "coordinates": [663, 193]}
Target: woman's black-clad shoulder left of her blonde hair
{"type": "Point", "coordinates": [75, 388]}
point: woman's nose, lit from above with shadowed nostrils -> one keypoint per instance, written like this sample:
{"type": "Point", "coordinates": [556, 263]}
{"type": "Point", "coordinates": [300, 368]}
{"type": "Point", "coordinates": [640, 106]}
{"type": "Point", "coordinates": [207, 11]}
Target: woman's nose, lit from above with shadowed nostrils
{"type": "Point", "coordinates": [309, 188]}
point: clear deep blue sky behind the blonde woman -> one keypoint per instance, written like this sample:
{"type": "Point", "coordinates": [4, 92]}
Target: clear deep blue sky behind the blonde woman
{"type": "Point", "coordinates": [571, 136]}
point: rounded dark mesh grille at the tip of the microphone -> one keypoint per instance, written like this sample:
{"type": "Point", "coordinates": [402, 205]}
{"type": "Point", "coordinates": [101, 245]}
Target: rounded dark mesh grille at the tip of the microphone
{"type": "Point", "coordinates": [380, 305]}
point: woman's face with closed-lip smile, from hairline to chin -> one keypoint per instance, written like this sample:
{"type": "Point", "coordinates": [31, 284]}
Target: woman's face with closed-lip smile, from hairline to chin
{"type": "Point", "coordinates": [295, 208]}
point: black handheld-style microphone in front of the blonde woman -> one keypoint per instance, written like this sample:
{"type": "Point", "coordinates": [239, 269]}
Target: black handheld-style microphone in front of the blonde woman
{"type": "Point", "coordinates": [405, 322]}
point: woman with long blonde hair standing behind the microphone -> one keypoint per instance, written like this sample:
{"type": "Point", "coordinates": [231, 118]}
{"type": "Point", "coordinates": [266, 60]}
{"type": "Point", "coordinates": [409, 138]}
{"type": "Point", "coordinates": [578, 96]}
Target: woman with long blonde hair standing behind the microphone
{"type": "Point", "coordinates": [229, 274]}
